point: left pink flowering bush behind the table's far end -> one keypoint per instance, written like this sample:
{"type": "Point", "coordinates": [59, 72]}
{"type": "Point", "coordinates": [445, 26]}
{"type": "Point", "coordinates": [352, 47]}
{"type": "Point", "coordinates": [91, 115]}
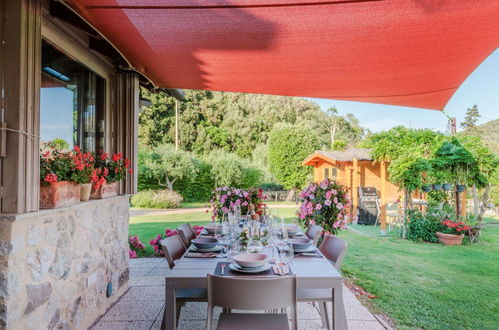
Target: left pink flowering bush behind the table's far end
{"type": "Point", "coordinates": [225, 199]}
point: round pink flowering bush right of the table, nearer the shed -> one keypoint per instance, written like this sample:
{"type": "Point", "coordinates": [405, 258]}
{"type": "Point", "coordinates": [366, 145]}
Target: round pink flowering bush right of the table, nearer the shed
{"type": "Point", "coordinates": [326, 204]}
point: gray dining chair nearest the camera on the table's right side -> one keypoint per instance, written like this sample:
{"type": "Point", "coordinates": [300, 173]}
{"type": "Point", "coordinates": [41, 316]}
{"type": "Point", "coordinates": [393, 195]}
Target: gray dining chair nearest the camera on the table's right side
{"type": "Point", "coordinates": [334, 249]}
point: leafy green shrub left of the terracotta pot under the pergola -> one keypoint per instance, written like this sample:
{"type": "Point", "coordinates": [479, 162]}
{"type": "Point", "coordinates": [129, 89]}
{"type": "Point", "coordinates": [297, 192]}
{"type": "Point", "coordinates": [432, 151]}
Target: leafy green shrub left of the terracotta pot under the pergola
{"type": "Point", "coordinates": [422, 228]}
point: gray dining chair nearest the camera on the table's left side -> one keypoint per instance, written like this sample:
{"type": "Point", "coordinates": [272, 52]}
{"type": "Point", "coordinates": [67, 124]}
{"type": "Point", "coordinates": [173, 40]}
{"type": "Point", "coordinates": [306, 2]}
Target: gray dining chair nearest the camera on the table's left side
{"type": "Point", "coordinates": [173, 249]}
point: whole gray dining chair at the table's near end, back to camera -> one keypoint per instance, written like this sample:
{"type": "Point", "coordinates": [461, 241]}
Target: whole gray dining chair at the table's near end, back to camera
{"type": "Point", "coordinates": [258, 293]}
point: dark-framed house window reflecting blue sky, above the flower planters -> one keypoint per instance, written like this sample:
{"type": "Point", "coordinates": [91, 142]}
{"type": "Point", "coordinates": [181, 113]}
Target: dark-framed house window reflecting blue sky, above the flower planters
{"type": "Point", "coordinates": [72, 102]}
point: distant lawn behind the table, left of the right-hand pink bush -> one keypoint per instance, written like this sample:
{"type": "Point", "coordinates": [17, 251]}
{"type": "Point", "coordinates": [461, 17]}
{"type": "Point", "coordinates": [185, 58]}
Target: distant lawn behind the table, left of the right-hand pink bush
{"type": "Point", "coordinates": [148, 226]}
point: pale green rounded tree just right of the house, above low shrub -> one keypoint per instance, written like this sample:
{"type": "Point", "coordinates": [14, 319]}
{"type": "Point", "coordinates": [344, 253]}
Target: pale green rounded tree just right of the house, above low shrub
{"type": "Point", "coordinates": [166, 165]}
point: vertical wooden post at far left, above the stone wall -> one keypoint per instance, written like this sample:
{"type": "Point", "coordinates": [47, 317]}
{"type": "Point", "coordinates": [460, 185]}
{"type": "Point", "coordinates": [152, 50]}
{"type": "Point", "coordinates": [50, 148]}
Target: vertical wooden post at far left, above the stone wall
{"type": "Point", "coordinates": [20, 62]}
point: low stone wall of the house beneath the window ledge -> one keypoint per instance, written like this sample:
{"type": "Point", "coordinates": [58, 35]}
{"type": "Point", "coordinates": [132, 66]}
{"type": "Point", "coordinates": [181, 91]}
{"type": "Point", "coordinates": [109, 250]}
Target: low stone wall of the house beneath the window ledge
{"type": "Point", "coordinates": [55, 265]}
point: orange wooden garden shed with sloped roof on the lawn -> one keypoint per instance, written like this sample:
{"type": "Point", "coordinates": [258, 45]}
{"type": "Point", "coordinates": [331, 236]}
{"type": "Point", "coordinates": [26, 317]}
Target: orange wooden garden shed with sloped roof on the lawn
{"type": "Point", "coordinates": [353, 168]}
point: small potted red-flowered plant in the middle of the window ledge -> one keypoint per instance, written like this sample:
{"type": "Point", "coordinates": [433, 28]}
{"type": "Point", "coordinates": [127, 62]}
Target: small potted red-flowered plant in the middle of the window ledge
{"type": "Point", "coordinates": [83, 168]}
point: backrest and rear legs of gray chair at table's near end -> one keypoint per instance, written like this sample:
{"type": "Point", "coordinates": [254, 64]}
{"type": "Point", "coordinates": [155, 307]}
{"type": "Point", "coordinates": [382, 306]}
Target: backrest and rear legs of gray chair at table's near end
{"type": "Point", "coordinates": [251, 293]}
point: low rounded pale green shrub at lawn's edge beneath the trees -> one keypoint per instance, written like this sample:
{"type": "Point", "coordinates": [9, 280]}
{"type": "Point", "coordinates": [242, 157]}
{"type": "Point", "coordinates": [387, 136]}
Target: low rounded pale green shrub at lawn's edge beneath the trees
{"type": "Point", "coordinates": [157, 199]}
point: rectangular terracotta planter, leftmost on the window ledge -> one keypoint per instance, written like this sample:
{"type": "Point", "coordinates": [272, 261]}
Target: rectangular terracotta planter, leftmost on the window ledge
{"type": "Point", "coordinates": [59, 194]}
